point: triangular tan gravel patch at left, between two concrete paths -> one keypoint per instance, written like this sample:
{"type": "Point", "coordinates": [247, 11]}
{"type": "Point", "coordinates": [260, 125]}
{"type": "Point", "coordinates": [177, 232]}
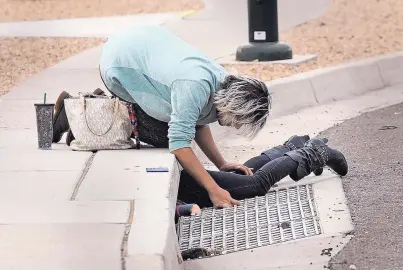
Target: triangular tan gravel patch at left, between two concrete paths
{"type": "Point", "coordinates": [24, 57]}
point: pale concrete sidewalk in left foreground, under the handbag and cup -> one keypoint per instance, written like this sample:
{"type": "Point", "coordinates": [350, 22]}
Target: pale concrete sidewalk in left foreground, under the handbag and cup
{"type": "Point", "coordinates": [61, 209]}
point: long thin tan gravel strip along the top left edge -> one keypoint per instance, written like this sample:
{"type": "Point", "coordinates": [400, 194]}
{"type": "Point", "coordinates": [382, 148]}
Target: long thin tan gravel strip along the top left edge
{"type": "Point", "coordinates": [25, 10]}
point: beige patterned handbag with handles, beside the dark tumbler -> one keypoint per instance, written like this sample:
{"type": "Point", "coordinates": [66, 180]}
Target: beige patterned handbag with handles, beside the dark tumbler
{"type": "Point", "coordinates": [99, 123]}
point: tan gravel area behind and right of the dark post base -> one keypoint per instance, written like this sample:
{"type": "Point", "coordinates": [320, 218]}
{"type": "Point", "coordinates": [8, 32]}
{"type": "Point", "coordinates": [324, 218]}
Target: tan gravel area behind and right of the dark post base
{"type": "Point", "coordinates": [349, 30]}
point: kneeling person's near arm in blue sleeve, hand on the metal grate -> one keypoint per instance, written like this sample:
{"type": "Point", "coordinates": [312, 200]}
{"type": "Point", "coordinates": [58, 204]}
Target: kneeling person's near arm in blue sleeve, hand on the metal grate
{"type": "Point", "coordinates": [188, 98]}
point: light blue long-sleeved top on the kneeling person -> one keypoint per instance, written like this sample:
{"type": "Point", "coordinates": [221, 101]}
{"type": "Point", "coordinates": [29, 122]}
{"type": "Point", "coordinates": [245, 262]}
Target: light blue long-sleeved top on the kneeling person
{"type": "Point", "coordinates": [168, 78]}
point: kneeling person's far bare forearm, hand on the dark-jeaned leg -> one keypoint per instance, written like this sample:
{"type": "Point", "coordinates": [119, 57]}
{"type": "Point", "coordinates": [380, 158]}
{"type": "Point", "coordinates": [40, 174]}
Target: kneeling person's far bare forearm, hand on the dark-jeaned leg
{"type": "Point", "coordinates": [205, 141]}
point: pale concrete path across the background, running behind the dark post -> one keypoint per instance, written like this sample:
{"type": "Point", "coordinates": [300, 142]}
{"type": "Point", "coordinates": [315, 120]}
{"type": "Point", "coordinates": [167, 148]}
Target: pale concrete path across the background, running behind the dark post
{"type": "Point", "coordinates": [217, 30]}
